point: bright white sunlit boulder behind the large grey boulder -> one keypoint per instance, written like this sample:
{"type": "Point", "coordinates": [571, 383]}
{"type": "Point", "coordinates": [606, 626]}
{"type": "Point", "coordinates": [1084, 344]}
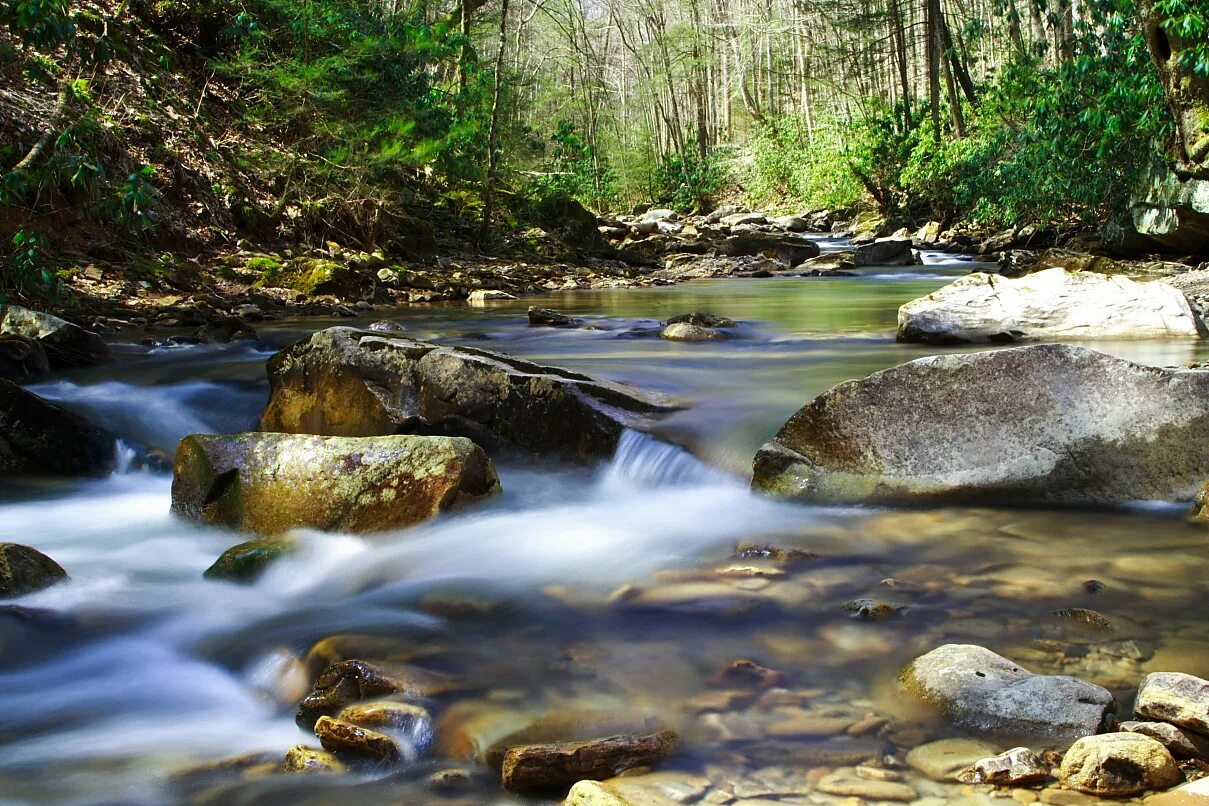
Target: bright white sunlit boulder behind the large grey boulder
{"type": "Point", "coordinates": [1054, 304]}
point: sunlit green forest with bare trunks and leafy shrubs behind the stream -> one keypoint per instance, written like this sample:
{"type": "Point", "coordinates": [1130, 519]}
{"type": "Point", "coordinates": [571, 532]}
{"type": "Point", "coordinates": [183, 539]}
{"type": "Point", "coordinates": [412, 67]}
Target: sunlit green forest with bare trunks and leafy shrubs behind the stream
{"type": "Point", "coordinates": [194, 125]}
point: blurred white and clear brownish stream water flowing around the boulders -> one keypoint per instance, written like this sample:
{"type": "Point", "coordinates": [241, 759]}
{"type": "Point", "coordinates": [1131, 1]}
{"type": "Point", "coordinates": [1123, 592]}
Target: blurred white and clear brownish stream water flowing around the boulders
{"type": "Point", "coordinates": [581, 587]}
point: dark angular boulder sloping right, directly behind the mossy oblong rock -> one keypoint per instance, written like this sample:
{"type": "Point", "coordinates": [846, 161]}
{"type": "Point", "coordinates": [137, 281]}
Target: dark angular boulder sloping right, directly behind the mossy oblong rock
{"type": "Point", "coordinates": [346, 382]}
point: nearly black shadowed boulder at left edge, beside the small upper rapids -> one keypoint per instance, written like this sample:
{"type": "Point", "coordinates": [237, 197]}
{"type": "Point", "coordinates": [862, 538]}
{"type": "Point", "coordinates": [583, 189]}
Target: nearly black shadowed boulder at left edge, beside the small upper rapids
{"type": "Point", "coordinates": [41, 438]}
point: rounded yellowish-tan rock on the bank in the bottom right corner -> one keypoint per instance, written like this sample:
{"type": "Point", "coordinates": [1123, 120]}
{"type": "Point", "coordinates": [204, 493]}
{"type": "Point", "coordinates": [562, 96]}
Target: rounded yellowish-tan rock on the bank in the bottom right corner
{"type": "Point", "coordinates": [1119, 766]}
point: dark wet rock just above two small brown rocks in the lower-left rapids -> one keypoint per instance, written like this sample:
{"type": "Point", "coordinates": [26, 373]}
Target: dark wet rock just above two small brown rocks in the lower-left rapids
{"type": "Point", "coordinates": [351, 682]}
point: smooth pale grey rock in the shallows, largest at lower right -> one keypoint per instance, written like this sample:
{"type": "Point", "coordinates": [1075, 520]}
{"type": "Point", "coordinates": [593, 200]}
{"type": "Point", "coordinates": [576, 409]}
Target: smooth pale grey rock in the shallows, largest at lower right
{"type": "Point", "coordinates": [979, 691]}
